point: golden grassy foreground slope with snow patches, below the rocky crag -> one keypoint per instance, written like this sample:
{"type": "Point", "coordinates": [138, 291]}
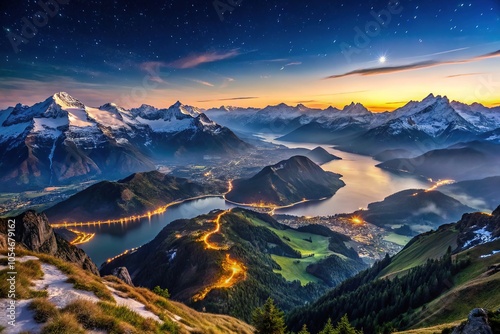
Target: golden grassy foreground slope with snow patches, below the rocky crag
{"type": "Point", "coordinates": [71, 300]}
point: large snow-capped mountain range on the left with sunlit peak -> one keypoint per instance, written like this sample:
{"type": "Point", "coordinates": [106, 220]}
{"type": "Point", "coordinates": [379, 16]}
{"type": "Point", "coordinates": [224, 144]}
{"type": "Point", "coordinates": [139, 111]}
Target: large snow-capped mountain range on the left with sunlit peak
{"type": "Point", "coordinates": [60, 140]}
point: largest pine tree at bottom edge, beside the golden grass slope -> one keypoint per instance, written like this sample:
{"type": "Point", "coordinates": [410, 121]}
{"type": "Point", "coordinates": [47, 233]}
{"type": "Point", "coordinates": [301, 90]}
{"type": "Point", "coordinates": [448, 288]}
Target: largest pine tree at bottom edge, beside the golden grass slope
{"type": "Point", "coordinates": [269, 319]}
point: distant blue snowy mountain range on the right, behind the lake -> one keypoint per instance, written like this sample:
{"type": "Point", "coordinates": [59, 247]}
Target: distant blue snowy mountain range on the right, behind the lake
{"type": "Point", "coordinates": [431, 123]}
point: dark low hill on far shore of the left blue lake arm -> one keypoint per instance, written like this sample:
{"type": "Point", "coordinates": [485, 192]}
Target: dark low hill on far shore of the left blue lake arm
{"type": "Point", "coordinates": [134, 195]}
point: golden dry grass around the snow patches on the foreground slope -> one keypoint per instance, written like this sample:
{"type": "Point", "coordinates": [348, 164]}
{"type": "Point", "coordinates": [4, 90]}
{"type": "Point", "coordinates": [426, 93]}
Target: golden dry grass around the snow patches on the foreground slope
{"type": "Point", "coordinates": [109, 317]}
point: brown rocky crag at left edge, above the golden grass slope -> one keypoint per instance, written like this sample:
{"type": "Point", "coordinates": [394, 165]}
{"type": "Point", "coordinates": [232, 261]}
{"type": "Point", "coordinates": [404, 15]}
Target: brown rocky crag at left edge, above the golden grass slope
{"type": "Point", "coordinates": [33, 232]}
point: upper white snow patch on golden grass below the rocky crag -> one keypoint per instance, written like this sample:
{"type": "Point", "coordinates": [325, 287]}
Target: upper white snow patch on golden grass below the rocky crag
{"type": "Point", "coordinates": [60, 293]}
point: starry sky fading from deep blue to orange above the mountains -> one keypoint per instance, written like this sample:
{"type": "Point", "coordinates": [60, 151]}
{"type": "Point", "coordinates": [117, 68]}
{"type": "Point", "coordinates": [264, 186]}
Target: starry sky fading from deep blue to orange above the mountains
{"type": "Point", "coordinates": [262, 52]}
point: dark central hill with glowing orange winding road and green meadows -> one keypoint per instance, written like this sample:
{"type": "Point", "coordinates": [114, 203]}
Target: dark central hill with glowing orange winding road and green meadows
{"type": "Point", "coordinates": [227, 262]}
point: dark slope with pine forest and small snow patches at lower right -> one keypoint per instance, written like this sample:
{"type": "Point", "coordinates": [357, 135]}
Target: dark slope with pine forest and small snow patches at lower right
{"type": "Point", "coordinates": [437, 278]}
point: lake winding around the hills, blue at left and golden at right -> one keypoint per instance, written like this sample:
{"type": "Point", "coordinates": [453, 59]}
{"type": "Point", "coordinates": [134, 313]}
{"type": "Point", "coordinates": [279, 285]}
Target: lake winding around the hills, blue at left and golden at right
{"type": "Point", "coordinates": [365, 184]}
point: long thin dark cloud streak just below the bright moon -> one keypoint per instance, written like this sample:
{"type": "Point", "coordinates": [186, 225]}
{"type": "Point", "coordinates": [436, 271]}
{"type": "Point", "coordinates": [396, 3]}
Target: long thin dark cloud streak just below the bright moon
{"type": "Point", "coordinates": [413, 66]}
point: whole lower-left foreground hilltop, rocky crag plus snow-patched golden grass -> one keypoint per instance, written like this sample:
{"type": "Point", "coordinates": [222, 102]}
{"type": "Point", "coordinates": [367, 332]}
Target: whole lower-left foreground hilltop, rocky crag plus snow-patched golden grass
{"type": "Point", "coordinates": [59, 290]}
